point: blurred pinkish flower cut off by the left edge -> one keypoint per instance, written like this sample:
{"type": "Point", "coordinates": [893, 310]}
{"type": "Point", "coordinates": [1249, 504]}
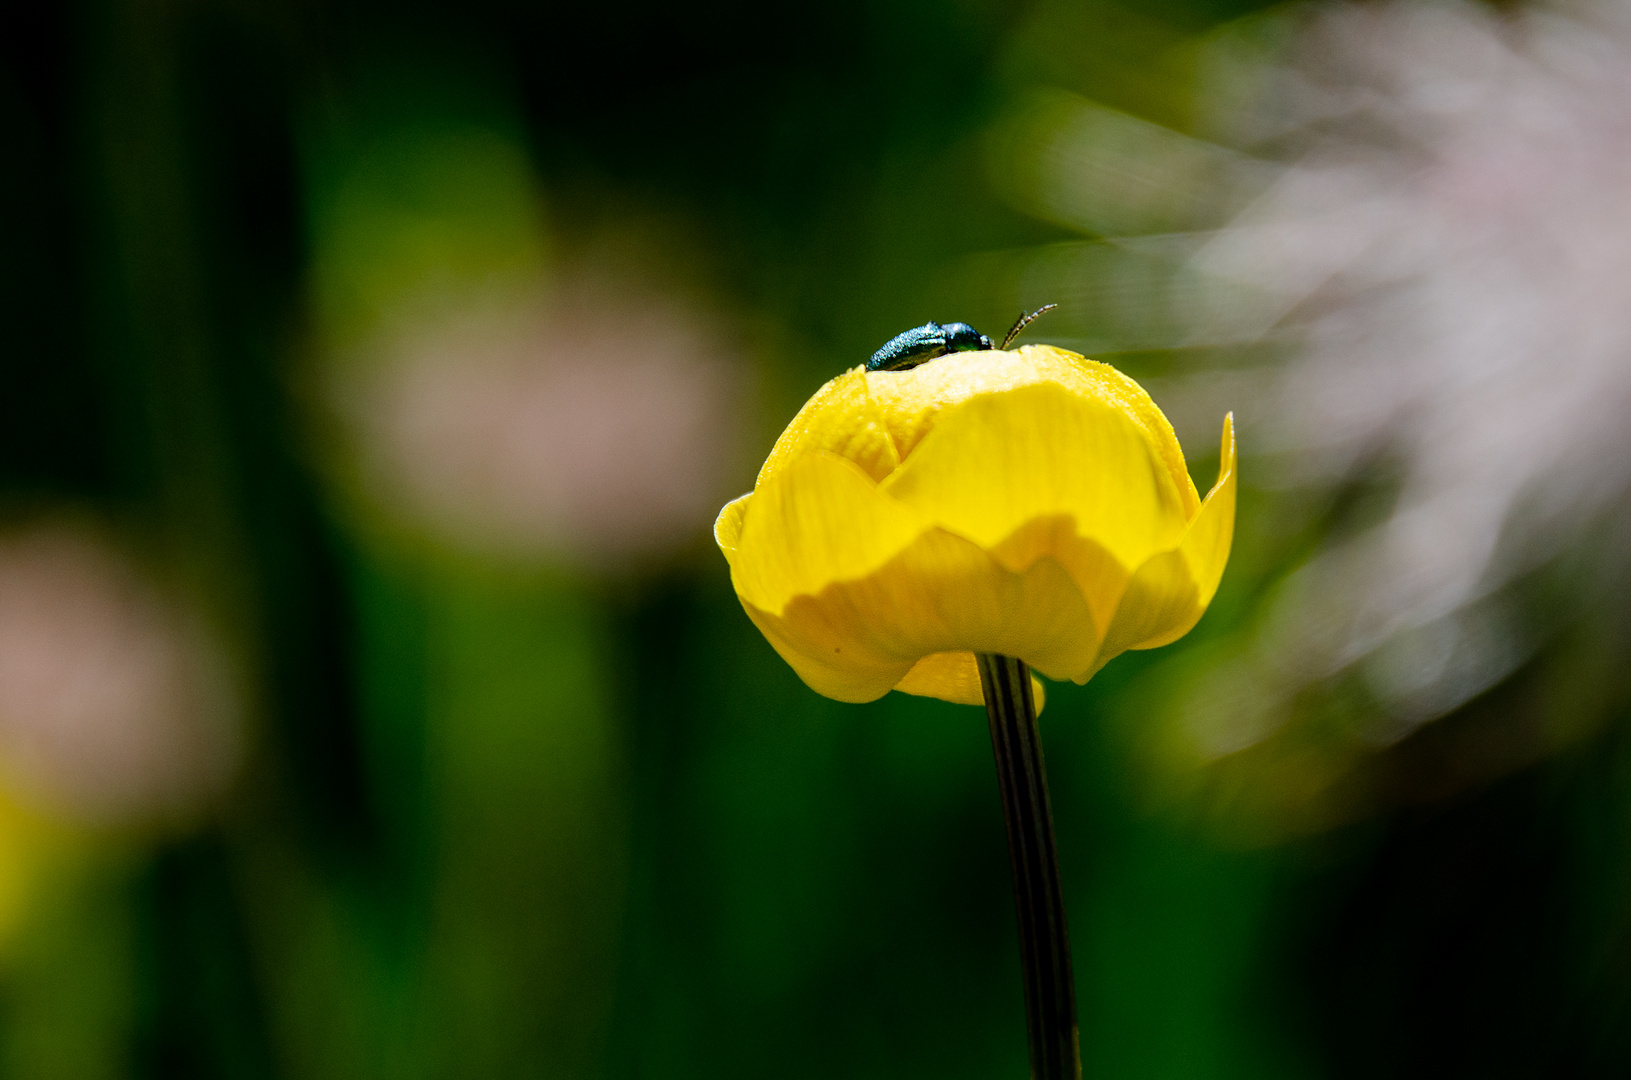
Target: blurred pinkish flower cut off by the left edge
{"type": "Point", "coordinates": [113, 701]}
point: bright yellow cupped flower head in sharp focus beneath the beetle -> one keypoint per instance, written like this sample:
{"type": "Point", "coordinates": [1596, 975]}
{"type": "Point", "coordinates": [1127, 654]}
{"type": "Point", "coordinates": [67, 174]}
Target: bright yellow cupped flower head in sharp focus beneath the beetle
{"type": "Point", "coordinates": [1030, 503]}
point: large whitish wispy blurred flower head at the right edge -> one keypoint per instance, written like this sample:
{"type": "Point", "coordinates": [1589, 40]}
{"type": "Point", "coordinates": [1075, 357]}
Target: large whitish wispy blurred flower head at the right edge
{"type": "Point", "coordinates": [1452, 254]}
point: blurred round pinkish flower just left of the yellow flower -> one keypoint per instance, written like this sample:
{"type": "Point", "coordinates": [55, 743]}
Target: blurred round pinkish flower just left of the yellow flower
{"type": "Point", "coordinates": [594, 425]}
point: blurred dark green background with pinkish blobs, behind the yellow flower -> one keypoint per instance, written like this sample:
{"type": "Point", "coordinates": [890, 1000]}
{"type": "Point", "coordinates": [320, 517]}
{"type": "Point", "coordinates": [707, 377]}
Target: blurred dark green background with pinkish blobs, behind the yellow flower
{"type": "Point", "coordinates": [387, 363]}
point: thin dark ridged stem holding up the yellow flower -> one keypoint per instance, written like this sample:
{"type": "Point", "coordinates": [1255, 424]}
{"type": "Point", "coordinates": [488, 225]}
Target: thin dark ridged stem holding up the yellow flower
{"type": "Point", "coordinates": [1045, 944]}
